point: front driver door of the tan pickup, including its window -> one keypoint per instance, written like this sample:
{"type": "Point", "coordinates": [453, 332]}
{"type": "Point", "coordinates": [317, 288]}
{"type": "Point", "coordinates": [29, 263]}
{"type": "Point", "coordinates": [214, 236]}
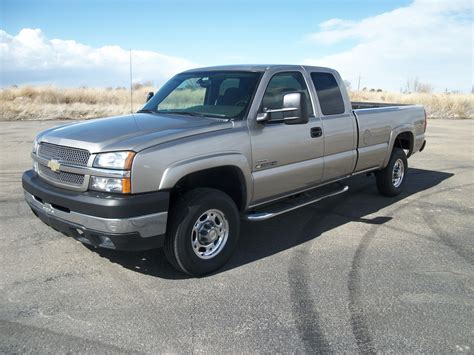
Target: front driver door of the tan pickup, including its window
{"type": "Point", "coordinates": [286, 157]}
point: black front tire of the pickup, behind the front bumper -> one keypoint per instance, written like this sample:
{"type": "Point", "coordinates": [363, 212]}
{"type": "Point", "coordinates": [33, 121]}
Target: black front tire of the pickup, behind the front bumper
{"type": "Point", "coordinates": [181, 234]}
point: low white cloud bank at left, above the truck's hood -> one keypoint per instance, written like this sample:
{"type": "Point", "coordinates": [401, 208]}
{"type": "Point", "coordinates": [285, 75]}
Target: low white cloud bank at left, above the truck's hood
{"type": "Point", "coordinates": [30, 57]}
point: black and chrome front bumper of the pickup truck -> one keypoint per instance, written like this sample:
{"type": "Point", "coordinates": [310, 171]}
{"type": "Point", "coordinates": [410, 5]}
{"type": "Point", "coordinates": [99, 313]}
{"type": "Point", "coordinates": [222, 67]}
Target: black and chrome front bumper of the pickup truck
{"type": "Point", "coordinates": [124, 222]}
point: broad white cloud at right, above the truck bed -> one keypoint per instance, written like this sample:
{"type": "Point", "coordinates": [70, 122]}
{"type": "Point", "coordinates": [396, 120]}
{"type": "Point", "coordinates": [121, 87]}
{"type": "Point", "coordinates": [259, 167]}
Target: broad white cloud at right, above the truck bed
{"type": "Point", "coordinates": [430, 40]}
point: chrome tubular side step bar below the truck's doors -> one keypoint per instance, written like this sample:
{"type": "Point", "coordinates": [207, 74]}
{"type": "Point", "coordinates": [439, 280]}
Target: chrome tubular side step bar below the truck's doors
{"type": "Point", "coordinates": [293, 203]}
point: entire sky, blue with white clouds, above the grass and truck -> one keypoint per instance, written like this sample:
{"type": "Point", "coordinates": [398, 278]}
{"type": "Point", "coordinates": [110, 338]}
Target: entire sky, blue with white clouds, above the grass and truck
{"type": "Point", "coordinates": [385, 42]}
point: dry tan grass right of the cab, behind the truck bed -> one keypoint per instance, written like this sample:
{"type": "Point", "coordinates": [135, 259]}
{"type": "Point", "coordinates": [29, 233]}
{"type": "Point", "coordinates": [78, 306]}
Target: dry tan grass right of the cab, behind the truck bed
{"type": "Point", "coordinates": [436, 105]}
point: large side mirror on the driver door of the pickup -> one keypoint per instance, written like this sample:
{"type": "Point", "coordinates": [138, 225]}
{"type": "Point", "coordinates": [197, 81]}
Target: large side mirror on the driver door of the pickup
{"type": "Point", "coordinates": [293, 111]}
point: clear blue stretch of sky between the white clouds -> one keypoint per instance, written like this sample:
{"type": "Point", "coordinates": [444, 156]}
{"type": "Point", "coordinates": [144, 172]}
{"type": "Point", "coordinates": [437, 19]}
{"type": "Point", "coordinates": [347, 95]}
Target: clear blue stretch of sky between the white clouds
{"type": "Point", "coordinates": [199, 30]}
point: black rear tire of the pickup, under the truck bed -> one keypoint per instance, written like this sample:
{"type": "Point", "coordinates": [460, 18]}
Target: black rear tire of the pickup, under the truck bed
{"type": "Point", "coordinates": [385, 184]}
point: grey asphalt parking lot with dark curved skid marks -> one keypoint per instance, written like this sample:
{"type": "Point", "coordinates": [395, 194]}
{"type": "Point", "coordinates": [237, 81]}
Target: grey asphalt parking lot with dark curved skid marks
{"type": "Point", "coordinates": [356, 273]}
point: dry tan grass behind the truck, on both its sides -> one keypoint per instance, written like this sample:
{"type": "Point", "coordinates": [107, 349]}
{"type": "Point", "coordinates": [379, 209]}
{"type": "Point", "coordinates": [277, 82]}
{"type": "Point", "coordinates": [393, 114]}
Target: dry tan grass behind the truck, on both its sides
{"type": "Point", "coordinates": [48, 102]}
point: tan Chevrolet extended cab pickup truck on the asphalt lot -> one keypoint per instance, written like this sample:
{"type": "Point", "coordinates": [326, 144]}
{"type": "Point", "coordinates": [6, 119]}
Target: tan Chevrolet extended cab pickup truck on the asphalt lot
{"type": "Point", "coordinates": [212, 147]}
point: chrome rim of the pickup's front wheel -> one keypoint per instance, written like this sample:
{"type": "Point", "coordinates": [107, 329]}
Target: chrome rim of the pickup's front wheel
{"type": "Point", "coordinates": [209, 234]}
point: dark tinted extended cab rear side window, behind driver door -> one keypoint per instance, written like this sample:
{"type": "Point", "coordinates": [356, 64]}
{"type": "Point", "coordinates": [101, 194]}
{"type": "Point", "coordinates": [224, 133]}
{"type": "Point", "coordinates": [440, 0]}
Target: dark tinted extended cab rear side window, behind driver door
{"type": "Point", "coordinates": [329, 94]}
